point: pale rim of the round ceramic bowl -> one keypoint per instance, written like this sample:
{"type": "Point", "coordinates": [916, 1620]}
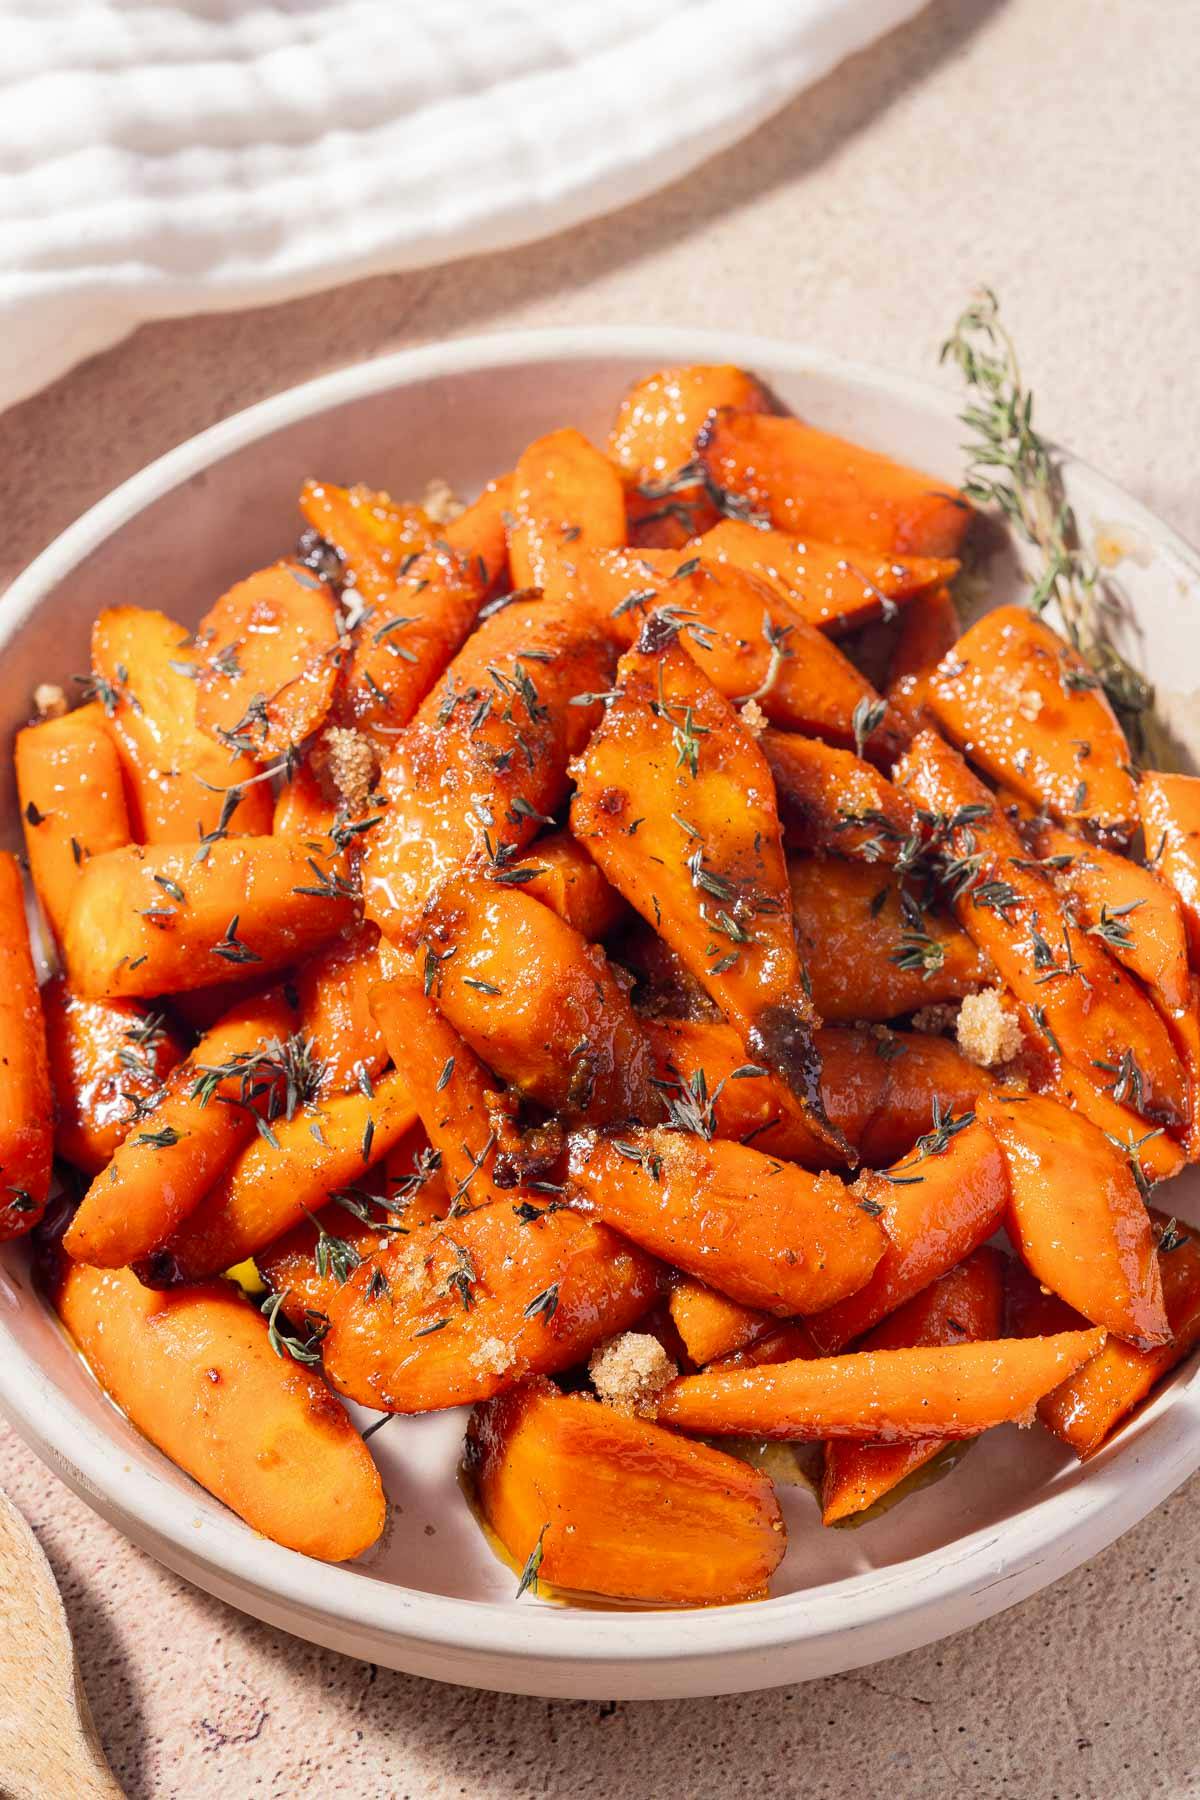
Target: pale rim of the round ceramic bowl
{"type": "Point", "coordinates": [996, 1565]}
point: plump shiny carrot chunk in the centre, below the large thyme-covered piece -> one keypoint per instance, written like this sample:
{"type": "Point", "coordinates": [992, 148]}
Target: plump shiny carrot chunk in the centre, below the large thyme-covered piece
{"type": "Point", "coordinates": [569, 1038]}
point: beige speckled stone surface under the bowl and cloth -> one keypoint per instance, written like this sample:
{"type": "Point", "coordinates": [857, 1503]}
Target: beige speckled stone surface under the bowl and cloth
{"type": "Point", "coordinates": [1052, 150]}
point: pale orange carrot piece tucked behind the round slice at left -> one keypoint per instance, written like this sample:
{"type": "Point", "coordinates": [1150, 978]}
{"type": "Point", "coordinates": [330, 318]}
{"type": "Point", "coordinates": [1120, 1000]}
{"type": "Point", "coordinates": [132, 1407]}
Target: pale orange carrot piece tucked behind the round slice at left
{"type": "Point", "coordinates": [179, 782]}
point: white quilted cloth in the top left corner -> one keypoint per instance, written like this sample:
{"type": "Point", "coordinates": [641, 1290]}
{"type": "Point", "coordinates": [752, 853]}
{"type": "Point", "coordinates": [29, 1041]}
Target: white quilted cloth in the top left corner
{"type": "Point", "coordinates": [161, 159]}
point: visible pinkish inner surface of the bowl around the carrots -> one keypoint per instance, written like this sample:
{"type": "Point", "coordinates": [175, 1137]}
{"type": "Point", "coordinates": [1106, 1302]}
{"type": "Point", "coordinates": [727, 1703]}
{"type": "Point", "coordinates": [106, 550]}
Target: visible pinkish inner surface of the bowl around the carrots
{"type": "Point", "coordinates": [179, 535]}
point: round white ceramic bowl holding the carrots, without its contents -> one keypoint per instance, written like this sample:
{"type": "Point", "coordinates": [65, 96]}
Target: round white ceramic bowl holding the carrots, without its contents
{"type": "Point", "coordinates": [433, 1599]}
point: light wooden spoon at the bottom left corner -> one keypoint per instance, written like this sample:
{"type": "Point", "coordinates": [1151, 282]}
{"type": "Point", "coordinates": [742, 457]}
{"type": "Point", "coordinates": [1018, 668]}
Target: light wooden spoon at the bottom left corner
{"type": "Point", "coordinates": [48, 1740]}
